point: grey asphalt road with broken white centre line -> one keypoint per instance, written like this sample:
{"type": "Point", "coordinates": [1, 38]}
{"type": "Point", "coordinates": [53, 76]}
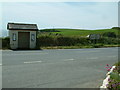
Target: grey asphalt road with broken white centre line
{"type": "Point", "coordinates": [61, 68]}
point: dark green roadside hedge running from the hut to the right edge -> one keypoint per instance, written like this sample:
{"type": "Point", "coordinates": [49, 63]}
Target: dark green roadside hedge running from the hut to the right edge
{"type": "Point", "coordinates": [73, 41]}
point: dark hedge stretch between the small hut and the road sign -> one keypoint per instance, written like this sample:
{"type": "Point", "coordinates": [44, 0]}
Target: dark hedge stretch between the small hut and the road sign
{"type": "Point", "coordinates": [61, 41]}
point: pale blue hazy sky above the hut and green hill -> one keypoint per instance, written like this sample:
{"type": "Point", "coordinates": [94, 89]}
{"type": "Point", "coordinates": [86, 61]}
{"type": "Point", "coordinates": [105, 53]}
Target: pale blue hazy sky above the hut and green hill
{"type": "Point", "coordinates": [83, 15]}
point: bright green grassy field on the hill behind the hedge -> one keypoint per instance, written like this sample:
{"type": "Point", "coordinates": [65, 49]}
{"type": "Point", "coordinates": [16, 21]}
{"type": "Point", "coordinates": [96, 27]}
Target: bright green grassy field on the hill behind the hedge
{"type": "Point", "coordinates": [77, 32]}
